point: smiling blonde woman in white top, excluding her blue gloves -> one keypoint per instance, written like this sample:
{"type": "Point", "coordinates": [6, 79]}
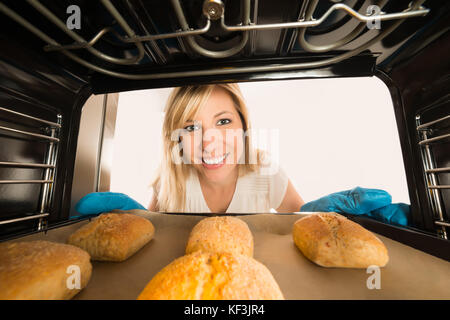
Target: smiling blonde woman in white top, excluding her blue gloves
{"type": "Point", "coordinates": [208, 163]}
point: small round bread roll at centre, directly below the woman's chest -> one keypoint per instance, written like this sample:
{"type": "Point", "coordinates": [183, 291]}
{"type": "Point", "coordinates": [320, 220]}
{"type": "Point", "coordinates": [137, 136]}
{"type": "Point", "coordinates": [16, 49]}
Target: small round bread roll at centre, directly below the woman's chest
{"type": "Point", "coordinates": [221, 234]}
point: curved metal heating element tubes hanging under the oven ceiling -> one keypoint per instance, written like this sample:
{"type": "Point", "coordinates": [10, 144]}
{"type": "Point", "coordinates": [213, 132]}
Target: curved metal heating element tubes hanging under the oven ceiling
{"type": "Point", "coordinates": [214, 10]}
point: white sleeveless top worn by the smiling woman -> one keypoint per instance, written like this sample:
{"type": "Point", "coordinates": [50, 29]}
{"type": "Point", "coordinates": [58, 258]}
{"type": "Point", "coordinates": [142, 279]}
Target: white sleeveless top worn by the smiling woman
{"type": "Point", "coordinates": [254, 193]}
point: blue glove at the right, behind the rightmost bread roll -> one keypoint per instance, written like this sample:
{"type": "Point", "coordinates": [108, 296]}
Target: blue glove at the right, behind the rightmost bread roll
{"type": "Point", "coordinates": [373, 203]}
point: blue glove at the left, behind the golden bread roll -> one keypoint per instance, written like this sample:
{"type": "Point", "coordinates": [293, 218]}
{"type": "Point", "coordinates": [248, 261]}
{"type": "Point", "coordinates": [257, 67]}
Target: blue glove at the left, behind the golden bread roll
{"type": "Point", "coordinates": [98, 202]}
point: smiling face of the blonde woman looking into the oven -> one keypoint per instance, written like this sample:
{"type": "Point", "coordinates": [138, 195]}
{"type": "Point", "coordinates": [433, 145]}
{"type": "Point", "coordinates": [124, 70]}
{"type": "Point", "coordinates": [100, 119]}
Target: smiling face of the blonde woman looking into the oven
{"type": "Point", "coordinates": [213, 141]}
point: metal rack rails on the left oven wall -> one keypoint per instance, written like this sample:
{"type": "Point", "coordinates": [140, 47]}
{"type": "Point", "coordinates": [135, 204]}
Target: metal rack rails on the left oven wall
{"type": "Point", "coordinates": [49, 165]}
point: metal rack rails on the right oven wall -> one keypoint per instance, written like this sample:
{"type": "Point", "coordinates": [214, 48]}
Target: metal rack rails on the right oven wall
{"type": "Point", "coordinates": [431, 171]}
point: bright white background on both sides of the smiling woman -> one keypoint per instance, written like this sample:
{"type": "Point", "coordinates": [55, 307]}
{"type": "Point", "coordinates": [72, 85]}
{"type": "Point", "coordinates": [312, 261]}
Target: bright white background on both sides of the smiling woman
{"type": "Point", "coordinates": [334, 134]}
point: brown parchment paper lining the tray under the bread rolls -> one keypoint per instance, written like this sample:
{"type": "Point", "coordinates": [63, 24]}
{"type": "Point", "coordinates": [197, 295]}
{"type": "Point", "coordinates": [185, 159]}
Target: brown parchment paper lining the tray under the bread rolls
{"type": "Point", "coordinates": [410, 273]}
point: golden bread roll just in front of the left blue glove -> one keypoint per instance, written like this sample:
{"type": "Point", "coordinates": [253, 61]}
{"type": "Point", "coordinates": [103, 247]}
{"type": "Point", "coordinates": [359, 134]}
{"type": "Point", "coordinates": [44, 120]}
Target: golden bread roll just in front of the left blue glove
{"type": "Point", "coordinates": [113, 236]}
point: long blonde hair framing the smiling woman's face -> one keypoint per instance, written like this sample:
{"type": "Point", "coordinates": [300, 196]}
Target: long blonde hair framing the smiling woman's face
{"type": "Point", "coordinates": [183, 104]}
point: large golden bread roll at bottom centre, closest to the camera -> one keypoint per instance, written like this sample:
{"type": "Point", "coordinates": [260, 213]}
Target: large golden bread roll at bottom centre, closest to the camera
{"type": "Point", "coordinates": [213, 276]}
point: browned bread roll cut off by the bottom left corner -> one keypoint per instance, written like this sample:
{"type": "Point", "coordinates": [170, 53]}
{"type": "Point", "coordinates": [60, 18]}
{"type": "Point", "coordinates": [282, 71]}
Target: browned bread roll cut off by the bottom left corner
{"type": "Point", "coordinates": [42, 270]}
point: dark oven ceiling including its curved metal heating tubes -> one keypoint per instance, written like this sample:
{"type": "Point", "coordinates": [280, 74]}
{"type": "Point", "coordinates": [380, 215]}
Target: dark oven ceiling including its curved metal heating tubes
{"type": "Point", "coordinates": [116, 61]}
